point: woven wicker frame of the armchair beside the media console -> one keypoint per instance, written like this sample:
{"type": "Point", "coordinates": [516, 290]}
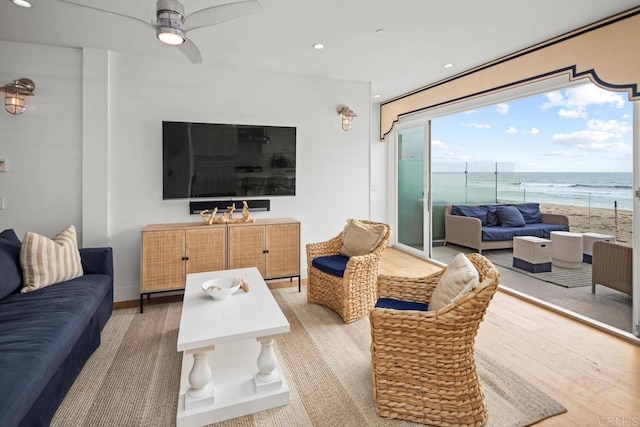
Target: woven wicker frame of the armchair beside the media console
{"type": "Point", "coordinates": [353, 295]}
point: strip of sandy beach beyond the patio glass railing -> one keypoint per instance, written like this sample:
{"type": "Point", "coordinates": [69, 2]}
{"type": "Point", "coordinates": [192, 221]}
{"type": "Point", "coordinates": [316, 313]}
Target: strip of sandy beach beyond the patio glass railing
{"type": "Point", "coordinates": [595, 220]}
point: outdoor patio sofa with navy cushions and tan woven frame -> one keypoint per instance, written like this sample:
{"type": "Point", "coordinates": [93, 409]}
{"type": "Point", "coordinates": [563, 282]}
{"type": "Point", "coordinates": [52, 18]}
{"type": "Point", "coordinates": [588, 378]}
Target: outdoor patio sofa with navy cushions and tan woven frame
{"type": "Point", "coordinates": [494, 226]}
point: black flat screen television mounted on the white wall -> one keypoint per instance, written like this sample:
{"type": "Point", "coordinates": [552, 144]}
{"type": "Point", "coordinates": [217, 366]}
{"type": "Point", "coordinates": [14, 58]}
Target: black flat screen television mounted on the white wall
{"type": "Point", "coordinates": [201, 160]}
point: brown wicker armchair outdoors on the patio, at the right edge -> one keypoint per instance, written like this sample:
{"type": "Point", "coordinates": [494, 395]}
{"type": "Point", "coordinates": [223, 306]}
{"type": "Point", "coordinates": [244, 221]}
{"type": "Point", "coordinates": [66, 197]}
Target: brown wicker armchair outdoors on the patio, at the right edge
{"type": "Point", "coordinates": [612, 266]}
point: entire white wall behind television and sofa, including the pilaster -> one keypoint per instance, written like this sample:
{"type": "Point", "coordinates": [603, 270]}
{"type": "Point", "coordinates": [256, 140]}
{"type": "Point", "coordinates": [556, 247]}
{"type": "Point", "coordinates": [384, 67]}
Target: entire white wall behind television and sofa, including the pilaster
{"type": "Point", "coordinates": [44, 146]}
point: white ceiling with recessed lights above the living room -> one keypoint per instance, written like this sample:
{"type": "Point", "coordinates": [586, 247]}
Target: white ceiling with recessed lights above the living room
{"type": "Point", "coordinates": [420, 37]}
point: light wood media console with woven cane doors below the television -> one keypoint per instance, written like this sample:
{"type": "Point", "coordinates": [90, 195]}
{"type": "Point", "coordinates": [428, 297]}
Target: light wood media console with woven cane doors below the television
{"type": "Point", "coordinates": [171, 251]}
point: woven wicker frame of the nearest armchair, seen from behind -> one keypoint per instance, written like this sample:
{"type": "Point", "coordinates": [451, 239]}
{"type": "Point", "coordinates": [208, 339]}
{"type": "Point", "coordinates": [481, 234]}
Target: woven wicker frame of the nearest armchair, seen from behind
{"type": "Point", "coordinates": [423, 364]}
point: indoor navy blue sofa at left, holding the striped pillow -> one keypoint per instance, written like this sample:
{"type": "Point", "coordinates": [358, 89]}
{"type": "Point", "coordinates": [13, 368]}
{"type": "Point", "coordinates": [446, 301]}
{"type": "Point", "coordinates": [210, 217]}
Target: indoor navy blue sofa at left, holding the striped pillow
{"type": "Point", "coordinates": [46, 336]}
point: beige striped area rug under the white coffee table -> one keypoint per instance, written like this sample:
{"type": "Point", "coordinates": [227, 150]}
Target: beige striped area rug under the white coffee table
{"type": "Point", "coordinates": [132, 379]}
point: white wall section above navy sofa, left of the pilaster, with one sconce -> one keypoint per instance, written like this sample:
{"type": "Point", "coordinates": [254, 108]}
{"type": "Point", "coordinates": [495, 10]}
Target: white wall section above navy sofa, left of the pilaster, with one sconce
{"type": "Point", "coordinates": [42, 146]}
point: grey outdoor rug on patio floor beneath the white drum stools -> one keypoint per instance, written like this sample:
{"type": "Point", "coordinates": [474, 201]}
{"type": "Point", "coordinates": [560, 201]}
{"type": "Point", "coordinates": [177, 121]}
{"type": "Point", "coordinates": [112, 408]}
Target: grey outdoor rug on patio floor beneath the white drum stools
{"type": "Point", "coordinates": [565, 277]}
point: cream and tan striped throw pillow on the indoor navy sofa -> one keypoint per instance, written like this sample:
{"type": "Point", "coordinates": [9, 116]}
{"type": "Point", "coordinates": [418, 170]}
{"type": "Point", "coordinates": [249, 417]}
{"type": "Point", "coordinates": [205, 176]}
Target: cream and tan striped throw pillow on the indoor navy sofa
{"type": "Point", "coordinates": [46, 262]}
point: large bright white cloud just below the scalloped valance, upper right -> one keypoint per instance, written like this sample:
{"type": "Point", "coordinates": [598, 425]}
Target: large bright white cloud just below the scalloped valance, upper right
{"type": "Point", "coordinates": [575, 101]}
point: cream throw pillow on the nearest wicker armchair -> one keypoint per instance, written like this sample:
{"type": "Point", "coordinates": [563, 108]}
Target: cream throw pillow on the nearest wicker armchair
{"type": "Point", "coordinates": [460, 278]}
